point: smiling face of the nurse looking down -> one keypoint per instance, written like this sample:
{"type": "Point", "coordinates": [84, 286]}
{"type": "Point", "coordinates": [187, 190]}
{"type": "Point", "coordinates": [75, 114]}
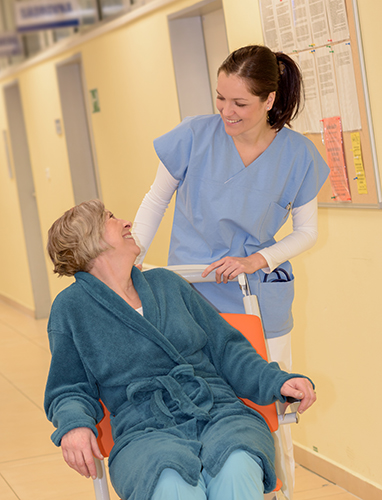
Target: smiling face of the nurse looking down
{"type": "Point", "coordinates": [242, 112]}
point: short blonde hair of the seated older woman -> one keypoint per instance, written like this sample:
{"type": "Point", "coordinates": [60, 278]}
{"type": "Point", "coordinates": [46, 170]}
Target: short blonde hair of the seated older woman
{"type": "Point", "coordinates": [76, 238]}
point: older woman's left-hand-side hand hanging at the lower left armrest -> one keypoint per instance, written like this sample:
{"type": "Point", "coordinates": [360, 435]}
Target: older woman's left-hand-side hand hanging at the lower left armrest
{"type": "Point", "coordinates": [78, 448]}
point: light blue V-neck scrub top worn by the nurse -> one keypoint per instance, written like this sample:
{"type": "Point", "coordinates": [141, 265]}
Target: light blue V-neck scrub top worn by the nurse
{"type": "Point", "coordinates": [224, 208]}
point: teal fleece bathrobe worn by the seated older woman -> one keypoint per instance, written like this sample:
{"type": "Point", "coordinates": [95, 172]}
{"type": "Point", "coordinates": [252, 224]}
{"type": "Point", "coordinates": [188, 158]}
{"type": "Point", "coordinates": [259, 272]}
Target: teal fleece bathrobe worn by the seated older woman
{"type": "Point", "coordinates": [170, 379]}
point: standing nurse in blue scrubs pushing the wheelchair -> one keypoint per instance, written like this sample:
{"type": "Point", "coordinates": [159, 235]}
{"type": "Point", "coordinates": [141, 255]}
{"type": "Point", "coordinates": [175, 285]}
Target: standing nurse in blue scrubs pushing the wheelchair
{"type": "Point", "coordinates": [238, 176]}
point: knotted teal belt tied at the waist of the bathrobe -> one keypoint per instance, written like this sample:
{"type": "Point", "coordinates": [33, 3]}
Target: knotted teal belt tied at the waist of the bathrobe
{"type": "Point", "coordinates": [153, 388]}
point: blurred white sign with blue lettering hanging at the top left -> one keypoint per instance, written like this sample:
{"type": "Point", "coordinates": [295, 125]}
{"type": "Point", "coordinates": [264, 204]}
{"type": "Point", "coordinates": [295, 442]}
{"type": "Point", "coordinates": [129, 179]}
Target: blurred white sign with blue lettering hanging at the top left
{"type": "Point", "coordinates": [46, 14]}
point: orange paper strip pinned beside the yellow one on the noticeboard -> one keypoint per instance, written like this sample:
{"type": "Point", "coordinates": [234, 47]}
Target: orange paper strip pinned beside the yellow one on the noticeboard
{"type": "Point", "coordinates": [336, 158]}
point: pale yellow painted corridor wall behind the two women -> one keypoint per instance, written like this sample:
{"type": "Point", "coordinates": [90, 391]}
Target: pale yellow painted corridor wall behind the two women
{"type": "Point", "coordinates": [337, 331]}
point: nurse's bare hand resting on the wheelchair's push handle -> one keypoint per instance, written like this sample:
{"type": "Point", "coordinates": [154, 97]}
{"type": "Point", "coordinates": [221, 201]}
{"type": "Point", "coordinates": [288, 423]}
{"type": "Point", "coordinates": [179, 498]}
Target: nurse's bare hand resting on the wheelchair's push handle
{"type": "Point", "coordinates": [228, 268]}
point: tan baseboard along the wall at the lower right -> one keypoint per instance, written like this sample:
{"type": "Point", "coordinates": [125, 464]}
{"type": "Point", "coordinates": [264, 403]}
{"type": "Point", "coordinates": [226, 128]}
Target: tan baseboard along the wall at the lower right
{"type": "Point", "coordinates": [336, 474]}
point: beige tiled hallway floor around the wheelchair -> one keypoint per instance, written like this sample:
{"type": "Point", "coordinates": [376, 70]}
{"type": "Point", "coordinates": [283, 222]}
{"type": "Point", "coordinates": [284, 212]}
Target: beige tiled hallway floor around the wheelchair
{"type": "Point", "coordinates": [31, 467]}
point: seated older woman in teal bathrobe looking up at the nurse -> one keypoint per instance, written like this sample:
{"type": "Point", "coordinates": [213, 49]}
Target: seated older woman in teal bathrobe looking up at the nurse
{"type": "Point", "coordinates": [166, 365]}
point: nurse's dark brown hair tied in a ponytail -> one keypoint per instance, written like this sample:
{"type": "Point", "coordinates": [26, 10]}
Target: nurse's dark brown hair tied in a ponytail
{"type": "Point", "coordinates": [264, 72]}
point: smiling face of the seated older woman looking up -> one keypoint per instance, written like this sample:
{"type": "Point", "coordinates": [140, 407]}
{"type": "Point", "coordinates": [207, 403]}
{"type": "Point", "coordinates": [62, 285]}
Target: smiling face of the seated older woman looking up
{"type": "Point", "coordinates": [117, 234]}
